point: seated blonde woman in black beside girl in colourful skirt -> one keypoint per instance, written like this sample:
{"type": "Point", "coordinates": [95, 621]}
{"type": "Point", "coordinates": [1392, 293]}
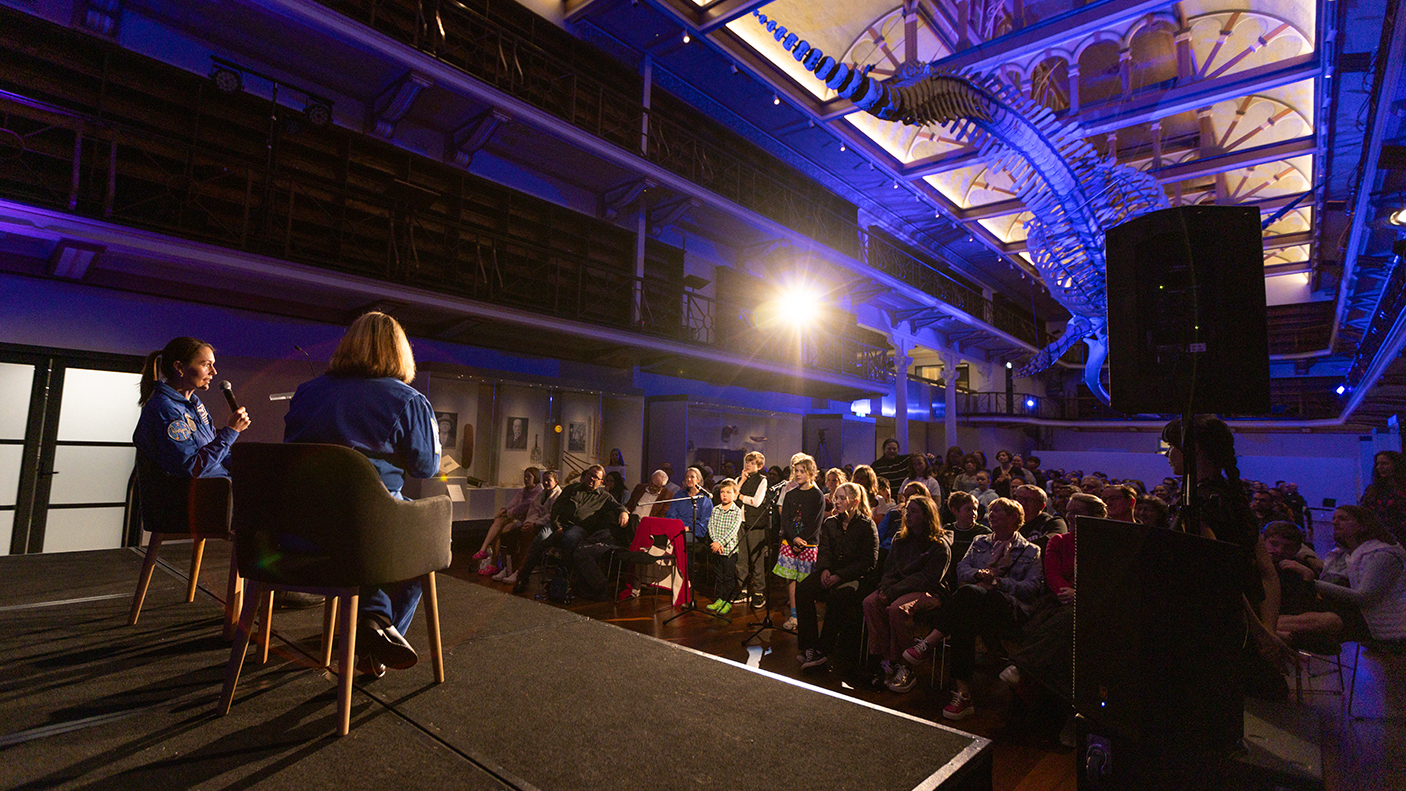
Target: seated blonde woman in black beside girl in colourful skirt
{"type": "Point", "coordinates": [849, 551]}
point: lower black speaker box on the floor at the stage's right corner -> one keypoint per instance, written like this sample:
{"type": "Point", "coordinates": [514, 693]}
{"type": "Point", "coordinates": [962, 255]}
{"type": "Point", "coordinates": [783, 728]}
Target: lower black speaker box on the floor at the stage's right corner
{"type": "Point", "coordinates": [1159, 627]}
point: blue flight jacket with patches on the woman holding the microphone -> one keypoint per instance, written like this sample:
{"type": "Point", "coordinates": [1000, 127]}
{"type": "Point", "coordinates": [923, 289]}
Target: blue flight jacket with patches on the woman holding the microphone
{"type": "Point", "coordinates": [178, 435]}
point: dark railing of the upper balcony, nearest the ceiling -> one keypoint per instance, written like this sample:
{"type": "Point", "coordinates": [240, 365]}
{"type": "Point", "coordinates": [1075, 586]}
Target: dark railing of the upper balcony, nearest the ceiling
{"type": "Point", "coordinates": [522, 63]}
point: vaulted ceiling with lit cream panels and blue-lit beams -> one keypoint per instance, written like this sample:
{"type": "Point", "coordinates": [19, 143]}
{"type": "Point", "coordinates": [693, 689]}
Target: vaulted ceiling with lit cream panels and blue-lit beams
{"type": "Point", "coordinates": [1290, 106]}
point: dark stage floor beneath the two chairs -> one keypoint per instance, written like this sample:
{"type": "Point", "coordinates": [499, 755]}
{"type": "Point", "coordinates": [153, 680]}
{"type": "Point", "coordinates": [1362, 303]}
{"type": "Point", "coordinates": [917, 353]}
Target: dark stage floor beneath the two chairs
{"type": "Point", "coordinates": [536, 698]}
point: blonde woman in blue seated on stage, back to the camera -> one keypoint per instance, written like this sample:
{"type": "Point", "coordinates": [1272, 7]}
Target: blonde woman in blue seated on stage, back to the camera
{"type": "Point", "coordinates": [365, 403]}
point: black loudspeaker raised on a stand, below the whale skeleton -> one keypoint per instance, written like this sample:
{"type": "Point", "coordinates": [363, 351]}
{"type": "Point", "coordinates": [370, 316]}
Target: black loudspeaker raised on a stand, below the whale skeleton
{"type": "Point", "coordinates": [1186, 313]}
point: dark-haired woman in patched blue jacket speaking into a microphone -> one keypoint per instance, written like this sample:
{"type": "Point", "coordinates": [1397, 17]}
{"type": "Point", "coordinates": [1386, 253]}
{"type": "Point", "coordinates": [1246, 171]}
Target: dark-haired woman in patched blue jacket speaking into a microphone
{"type": "Point", "coordinates": [175, 429]}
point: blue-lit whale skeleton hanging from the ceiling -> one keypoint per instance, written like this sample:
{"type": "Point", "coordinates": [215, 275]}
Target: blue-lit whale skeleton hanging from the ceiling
{"type": "Point", "coordinates": [1073, 193]}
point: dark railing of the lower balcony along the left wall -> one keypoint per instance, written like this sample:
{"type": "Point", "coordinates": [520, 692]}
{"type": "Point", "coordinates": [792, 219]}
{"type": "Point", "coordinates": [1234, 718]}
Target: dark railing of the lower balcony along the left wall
{"type": "Point", "coordinates": [212, 186]}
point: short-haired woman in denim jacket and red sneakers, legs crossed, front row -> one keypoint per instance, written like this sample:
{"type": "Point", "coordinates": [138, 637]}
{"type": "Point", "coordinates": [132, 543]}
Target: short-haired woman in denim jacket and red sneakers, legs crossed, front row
{"type": "Point", "coordinates": [999, 581]}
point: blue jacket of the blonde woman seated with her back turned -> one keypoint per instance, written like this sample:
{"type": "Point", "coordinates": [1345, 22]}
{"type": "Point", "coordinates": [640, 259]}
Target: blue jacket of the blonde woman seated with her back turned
{"type": "Point", "coordinates": [387, 421]}
